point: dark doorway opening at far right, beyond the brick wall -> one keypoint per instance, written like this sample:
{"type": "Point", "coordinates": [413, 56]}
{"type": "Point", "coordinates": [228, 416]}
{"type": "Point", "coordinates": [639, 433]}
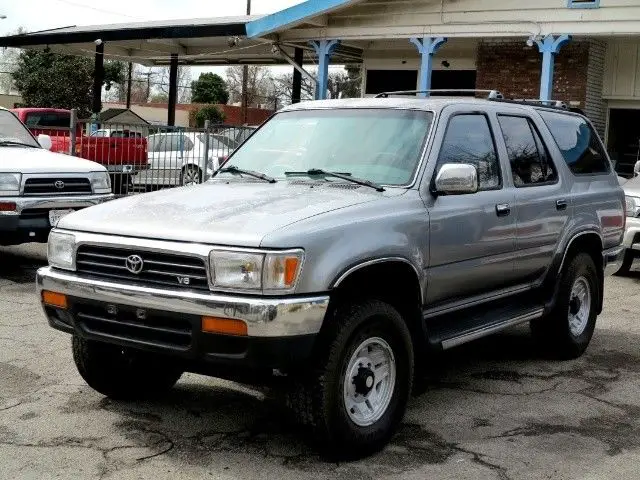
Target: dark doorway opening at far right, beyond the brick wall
{"type": "Point", "coordinates": [624, 140]}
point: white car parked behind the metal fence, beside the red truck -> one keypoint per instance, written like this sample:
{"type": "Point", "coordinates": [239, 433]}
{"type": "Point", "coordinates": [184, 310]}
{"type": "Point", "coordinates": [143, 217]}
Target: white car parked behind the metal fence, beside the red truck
{"type": "Point", "coordinates": [178, 158]}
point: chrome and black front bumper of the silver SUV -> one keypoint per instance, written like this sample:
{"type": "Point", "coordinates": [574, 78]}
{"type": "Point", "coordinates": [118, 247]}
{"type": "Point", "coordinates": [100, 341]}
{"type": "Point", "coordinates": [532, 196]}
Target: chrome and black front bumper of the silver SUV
{"type": "Point", "coordinates": [281, 331]}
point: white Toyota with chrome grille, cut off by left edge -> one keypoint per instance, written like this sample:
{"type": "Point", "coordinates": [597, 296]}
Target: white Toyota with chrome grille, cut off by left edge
{"type": "Point", "coordinates": [38, 187]}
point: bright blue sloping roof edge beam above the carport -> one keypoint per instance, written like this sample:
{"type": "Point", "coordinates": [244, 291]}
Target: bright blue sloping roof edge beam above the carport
{"type": "Point", "coordinates": [312, 11]}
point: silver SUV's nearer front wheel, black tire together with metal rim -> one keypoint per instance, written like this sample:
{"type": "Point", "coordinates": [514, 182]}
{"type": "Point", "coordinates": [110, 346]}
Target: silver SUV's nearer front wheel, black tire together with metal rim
{"type": "Point", "coordinates": [356, 396]}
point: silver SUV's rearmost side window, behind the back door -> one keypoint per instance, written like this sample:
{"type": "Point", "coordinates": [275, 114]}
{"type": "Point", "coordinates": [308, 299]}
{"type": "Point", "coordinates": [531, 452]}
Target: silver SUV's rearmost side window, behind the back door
{"type": "Point", "coordinates": [578, 142]}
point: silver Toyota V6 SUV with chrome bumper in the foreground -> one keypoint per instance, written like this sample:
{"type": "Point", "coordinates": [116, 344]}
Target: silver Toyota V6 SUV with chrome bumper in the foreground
{"type": "Point", "coordinates": [337, 247]}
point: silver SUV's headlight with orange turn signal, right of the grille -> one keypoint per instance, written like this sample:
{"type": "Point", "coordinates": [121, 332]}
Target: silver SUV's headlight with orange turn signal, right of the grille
{"type": "Point", "coordinates": [269, 272]}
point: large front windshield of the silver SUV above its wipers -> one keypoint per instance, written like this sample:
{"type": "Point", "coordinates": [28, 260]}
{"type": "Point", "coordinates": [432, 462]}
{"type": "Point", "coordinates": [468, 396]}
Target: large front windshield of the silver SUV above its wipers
{"type": "Point", "coordinates": [380, 145]}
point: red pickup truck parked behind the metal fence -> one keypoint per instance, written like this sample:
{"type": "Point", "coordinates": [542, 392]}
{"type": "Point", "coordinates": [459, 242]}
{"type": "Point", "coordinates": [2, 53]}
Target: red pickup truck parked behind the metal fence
{"type": "Point", "coordinates": [121, 155]}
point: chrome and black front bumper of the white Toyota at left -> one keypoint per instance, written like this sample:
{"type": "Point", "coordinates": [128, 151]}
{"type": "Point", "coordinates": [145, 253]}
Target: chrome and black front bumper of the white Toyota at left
{"type": "Point", "coordinates": [29, 221]}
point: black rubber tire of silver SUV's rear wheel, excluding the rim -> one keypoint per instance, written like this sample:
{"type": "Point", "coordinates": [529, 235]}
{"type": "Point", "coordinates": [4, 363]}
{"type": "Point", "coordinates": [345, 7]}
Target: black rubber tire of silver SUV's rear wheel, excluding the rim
{"type": "Point", "coordinates": [552, 332]}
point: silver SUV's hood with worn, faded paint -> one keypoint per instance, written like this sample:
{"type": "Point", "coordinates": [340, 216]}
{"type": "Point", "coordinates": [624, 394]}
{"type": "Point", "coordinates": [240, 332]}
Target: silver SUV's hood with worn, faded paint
{"type": "Point", "coordinates": [221, 213]}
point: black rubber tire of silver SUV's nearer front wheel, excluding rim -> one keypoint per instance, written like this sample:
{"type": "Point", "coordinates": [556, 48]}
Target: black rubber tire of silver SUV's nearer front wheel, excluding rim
{"type": "Point", "coordinates": [316, 396]}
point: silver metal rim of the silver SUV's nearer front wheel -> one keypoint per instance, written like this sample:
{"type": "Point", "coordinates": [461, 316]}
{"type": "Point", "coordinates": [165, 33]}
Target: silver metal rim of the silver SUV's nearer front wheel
{"type": "Point", "coordinates": [369, 382]}
